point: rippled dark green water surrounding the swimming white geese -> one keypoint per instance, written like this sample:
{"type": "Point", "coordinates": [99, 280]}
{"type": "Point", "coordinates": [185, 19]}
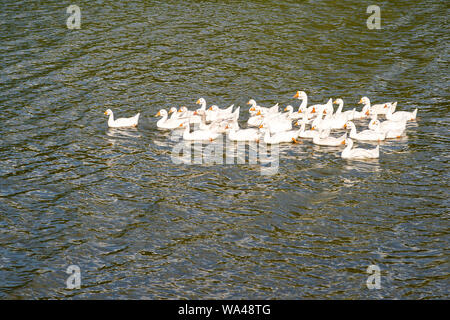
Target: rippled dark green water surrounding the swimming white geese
{"type": "Point", "coordinates": [141, 226]}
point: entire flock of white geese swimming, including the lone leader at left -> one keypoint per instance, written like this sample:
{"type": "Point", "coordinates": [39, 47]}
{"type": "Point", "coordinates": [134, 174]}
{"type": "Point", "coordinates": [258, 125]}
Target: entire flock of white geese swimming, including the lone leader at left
{"type": "Point", "coordinates": [272, 126]}
